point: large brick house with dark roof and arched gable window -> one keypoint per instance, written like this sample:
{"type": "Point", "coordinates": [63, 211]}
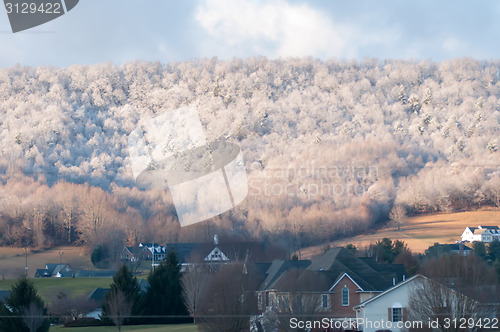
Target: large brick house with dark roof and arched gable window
{"type": "Point", "coordinates": [332, 285]}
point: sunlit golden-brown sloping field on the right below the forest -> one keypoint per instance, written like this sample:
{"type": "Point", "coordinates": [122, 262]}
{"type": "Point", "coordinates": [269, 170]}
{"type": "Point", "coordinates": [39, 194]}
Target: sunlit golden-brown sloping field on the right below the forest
{"type": "Point", "coordinates": [422, 231]}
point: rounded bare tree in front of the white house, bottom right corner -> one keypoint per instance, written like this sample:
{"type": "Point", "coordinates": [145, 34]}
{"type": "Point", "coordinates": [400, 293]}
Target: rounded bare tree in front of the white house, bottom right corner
{"type": "Point", "coordinates": [455, 287]}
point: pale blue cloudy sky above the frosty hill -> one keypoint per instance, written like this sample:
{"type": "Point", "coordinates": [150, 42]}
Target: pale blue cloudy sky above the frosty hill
{"type": "Point", "coordinates": [97, 31]}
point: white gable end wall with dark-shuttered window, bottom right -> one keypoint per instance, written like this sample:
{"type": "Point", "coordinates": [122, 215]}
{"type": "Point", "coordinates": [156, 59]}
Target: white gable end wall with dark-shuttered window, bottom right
{"type": "Point", "coordinates": [387, 310]}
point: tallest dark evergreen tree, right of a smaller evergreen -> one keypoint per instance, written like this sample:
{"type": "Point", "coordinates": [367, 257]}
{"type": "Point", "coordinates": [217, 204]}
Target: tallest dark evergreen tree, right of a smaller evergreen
{"type": "Point", "coordinates": [164, 295]}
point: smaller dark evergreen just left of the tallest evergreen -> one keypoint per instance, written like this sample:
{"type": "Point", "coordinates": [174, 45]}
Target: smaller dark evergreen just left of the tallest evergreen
{"type": "Point", "coordinates": [124, 282]}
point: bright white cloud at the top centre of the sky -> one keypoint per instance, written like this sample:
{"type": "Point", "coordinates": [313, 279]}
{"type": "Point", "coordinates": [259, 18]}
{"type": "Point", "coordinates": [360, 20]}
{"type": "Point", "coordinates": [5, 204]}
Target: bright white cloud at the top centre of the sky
{"type": "Point", "coordinates": [276, 28]}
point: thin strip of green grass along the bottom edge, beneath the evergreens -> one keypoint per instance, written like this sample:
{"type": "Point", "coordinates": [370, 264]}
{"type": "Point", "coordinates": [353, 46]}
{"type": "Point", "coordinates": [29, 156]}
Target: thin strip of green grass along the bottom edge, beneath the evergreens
{"type": "Point", "coordinates": [137, 328]}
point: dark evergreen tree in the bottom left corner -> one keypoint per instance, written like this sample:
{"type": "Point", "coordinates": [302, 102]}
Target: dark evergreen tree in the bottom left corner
{"type": "Point", "coordinates": [24, 310]}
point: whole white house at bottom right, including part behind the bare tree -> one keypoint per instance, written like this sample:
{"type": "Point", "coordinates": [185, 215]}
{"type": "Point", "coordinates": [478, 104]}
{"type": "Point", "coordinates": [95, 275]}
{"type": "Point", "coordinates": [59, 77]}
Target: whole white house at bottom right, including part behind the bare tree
{"type": "Point", "coordinates": [391, 309]}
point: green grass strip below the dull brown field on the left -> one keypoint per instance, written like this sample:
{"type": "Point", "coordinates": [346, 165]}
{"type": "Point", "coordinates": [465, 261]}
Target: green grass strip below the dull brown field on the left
{"type": "Point", "coordinates": [49, 287]}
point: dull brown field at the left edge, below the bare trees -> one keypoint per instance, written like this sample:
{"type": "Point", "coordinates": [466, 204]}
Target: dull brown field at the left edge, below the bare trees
{"type": "Point", "coordinates": [12, 260]}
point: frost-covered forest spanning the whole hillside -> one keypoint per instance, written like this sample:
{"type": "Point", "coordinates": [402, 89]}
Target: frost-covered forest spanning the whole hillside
{"type": "Point", "coordinates": [329, 146]}
